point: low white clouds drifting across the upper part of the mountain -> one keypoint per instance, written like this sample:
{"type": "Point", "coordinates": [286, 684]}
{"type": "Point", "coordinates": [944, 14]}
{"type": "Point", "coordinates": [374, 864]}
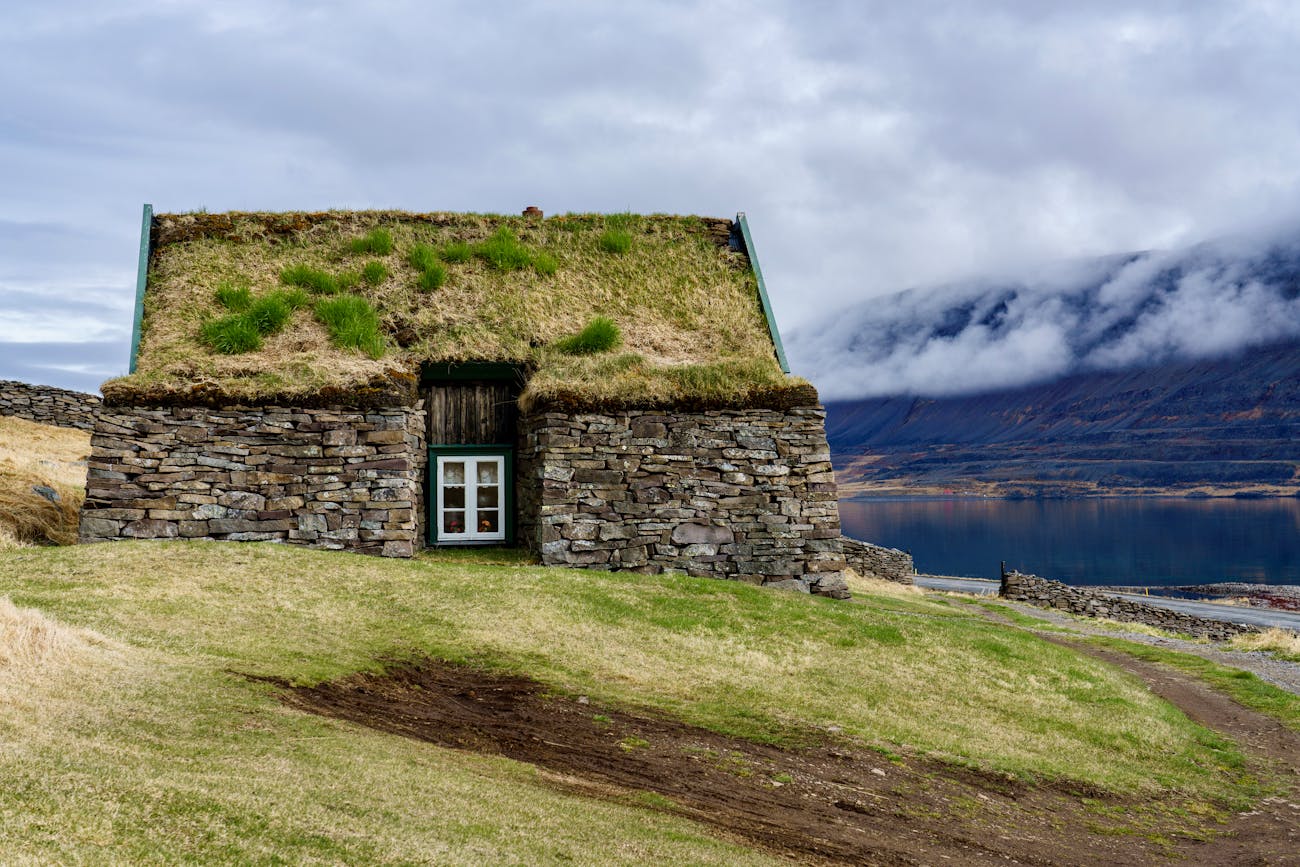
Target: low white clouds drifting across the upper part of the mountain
{"type": "Point", "coordinates": [1119, 313]}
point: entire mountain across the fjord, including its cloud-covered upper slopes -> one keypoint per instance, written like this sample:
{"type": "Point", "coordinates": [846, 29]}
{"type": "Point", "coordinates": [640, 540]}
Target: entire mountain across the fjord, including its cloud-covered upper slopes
{"type": "Point", "coordinates": [1173, 372]}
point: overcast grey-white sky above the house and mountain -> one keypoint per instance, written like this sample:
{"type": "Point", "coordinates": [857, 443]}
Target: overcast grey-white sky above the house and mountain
{"type": "Point", "coordinates": [876, 146]}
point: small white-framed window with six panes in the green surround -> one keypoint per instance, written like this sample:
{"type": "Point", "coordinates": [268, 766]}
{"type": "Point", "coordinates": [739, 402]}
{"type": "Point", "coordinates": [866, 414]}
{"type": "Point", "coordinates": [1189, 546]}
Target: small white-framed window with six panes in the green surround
{"type": "Point", "coordinates": [470, 500]}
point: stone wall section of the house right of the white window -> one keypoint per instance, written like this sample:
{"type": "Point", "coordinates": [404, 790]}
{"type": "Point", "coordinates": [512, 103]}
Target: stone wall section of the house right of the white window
{"type": "Point", "coordinates": [743, 495]}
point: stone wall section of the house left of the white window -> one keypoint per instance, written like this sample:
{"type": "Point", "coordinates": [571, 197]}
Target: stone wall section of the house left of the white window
{"type": "Point", "coordinates": [331, 479]}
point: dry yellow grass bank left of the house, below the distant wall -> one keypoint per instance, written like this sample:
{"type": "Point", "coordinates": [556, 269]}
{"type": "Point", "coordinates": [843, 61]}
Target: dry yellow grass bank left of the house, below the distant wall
{"type": "Point", "coordinates": [36, 456]}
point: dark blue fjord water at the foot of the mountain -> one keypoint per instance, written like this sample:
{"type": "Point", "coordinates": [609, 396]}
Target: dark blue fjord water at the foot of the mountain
{"type": "Point", "coordinates": [1136, 541]}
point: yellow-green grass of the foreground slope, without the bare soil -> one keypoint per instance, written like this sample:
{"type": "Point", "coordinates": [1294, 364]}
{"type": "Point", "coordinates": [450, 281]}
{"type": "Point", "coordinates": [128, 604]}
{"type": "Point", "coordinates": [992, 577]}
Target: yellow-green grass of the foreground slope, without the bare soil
{"type": "Point", "coordinates": [137, 723]}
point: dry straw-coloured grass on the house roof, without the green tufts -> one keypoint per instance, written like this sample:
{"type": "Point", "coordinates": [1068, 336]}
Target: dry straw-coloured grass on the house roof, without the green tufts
{"type": "Point", "coordinates": [682, 301]}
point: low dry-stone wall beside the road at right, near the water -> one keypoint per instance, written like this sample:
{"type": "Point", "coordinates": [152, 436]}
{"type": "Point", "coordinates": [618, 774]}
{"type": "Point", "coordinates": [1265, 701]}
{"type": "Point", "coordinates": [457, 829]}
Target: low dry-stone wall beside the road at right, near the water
{"type": "Point", "coordinates": [1093, 604]}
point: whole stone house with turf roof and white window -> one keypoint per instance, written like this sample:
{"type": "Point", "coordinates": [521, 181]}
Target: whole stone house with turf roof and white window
{"type": "Point", "coordinates": [606, 391]}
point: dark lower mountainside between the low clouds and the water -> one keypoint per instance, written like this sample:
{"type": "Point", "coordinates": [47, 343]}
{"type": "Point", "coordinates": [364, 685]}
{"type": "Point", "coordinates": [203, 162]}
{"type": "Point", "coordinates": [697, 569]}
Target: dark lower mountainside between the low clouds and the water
{"type": "Point", "coordinates": [1215, 427]}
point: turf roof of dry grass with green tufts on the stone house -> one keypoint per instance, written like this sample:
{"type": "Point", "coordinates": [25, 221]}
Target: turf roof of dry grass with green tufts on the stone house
{"type": "Point", "coordinates": [450, 288]}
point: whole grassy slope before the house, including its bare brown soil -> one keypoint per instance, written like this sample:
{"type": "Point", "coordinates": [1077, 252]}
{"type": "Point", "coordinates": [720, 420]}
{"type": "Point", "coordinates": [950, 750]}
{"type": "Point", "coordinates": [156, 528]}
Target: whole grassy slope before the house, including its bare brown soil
{"type": "Point", "coordinates": [261, 704]}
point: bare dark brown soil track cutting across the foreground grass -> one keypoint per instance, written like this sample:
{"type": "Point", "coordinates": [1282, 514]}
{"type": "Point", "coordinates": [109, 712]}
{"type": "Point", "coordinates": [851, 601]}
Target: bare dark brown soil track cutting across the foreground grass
{"type": "Point", "coordinates": [829, 804]}
